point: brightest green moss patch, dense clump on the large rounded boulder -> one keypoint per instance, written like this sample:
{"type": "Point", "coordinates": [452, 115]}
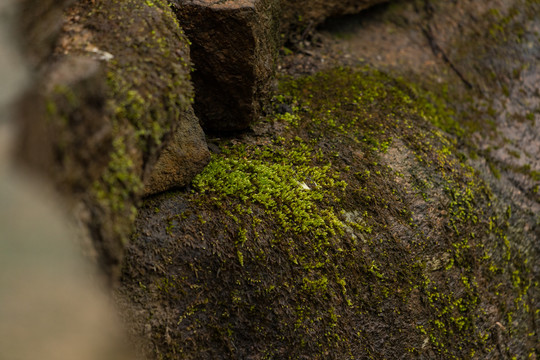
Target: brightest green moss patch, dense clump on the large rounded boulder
{"type": "Point", "coordinates": [284, 180]}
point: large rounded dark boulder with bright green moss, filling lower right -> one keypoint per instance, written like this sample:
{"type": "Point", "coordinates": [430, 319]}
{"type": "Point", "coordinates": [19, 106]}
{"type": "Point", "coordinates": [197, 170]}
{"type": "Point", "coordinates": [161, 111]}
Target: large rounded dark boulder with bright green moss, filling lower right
{"type": "Point", "coordinates": [349, 227]}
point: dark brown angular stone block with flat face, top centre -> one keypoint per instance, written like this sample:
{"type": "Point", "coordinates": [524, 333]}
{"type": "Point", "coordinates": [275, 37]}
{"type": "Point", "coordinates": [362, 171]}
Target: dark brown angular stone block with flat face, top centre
{"type": "Point", "coordinates": [233, 48]}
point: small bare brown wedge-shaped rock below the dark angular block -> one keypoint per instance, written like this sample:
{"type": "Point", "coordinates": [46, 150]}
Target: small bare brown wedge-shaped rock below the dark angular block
{"type": "Point", "coordinates": [184, 157]}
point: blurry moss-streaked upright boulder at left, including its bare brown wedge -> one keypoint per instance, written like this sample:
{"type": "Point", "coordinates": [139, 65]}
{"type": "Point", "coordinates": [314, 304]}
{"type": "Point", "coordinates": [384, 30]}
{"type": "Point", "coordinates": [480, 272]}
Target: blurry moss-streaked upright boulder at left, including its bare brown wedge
{"type": "Point", "coordinates": [114, 94]}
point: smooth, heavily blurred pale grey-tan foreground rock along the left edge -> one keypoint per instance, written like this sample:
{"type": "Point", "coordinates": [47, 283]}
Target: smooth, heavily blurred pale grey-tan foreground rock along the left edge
{"type": "Point", "coordinates": [54, 305]}
